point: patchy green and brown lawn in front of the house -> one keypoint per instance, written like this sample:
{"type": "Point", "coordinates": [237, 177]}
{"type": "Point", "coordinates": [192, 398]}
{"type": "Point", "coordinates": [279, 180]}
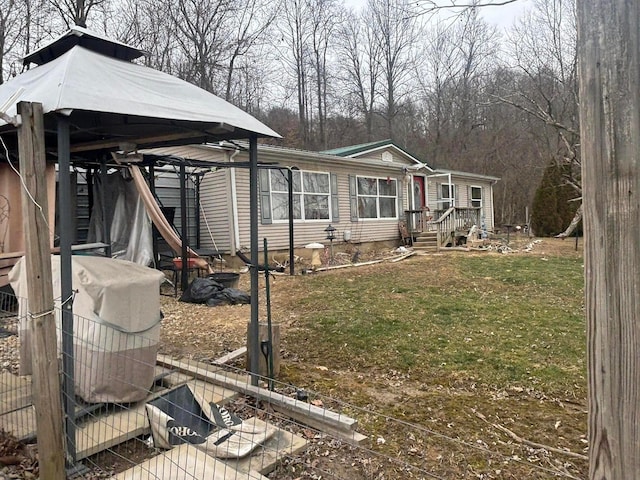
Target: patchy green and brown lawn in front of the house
{"type": "Point", "coordinates": [466, 346]}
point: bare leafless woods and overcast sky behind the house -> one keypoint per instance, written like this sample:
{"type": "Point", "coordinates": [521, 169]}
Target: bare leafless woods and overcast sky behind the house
{"type": "Point", "coordinates": [445, 84]}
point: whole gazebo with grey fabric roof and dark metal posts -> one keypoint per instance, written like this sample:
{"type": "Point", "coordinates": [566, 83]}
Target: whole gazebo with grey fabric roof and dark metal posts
{"type": "Point", "coordinates": [95, 101]}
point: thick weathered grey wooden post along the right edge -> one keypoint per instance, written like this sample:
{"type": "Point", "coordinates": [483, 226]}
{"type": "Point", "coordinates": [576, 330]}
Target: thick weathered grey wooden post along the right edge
{"type": "Point", "coordinates": [609, 78]}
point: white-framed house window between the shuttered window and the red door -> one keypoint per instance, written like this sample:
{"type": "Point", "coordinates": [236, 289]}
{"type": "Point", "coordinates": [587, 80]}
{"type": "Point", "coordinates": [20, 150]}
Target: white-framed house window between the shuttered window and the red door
{"type": "Point", "coordinates": [377, 197]}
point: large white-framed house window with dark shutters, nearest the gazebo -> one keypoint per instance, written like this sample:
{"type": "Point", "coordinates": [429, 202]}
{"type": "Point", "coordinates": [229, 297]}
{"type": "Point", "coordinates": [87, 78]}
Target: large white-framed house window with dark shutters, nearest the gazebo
{"type": "Point", "coordinates": [311, 195]}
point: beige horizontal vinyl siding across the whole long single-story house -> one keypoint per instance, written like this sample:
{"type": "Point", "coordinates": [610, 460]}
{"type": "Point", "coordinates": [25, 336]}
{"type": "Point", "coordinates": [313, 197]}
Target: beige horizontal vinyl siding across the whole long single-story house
{"type": "Point", "coordinates": [217, 201]}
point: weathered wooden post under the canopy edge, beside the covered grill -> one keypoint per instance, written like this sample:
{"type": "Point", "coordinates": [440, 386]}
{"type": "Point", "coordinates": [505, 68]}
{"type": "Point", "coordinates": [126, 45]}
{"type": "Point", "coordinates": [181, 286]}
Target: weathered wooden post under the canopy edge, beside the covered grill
{"type": "Point", "coordinates": [42, 326]}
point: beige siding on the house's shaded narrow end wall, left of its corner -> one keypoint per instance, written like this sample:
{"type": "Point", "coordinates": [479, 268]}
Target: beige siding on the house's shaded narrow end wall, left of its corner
{"type": "Point", "coordinates": [215, 200]}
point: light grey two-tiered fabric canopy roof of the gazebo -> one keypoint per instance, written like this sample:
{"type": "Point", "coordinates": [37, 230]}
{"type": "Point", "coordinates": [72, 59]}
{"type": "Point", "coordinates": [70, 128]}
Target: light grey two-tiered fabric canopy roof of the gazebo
{"type": "Point", "coordinates": [91, 80]}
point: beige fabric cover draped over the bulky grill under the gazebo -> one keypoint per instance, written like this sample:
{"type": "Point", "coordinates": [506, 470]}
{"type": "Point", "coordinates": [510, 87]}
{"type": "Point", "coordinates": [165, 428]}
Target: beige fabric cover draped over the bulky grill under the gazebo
{"type": "Point", "coordinates": [116, 326]}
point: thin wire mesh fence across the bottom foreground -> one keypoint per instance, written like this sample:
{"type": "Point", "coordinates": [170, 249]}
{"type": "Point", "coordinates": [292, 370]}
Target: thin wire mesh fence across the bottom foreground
{"type": "Point", "coordinates": [141, 414]}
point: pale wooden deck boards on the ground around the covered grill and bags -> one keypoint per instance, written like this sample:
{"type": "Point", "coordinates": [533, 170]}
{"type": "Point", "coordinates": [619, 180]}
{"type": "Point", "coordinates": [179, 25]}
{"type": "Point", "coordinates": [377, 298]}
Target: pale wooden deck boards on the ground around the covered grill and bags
{"type": "Point", "coordinates": [113, 425]}
